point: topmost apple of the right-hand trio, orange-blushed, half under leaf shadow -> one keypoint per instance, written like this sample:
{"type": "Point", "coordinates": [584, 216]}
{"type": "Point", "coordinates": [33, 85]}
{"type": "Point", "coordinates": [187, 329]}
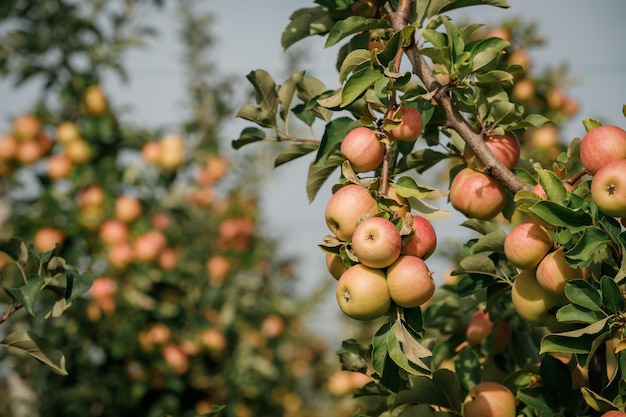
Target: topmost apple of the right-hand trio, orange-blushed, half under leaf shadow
{"type": "Point", "coordinates": [527, 244]}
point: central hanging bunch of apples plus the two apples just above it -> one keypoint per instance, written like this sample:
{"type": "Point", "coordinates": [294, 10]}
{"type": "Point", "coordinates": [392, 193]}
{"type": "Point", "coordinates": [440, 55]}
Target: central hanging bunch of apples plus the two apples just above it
{"type": "Point", "coordinates": [378, 248]}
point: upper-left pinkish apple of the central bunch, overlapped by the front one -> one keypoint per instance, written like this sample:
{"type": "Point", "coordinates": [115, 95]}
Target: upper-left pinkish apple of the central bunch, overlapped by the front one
{"type": "Point", "coordinates": [346, 208]}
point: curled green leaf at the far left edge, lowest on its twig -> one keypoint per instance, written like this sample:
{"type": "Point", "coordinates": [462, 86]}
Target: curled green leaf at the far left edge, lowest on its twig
{"type": "Point", "coordinates": [37, 347]}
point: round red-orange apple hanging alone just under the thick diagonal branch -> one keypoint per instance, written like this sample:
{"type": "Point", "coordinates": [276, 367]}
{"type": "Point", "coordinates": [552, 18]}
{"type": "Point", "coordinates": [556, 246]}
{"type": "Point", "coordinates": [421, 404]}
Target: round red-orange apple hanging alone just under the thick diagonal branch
{"type": "Point", "coordinates": [476, 194]}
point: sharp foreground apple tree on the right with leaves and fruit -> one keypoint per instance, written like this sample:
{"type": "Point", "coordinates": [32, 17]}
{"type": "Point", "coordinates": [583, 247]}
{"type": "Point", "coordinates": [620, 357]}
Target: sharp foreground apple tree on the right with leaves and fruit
{"type": "Point", "coordinates": [429, 109]}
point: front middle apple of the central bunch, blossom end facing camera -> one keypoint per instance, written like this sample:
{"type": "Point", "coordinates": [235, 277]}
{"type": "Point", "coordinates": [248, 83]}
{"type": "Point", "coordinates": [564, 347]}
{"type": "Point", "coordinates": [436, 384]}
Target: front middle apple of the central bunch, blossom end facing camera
{"type": "Point", "coordinates": [377, 243]}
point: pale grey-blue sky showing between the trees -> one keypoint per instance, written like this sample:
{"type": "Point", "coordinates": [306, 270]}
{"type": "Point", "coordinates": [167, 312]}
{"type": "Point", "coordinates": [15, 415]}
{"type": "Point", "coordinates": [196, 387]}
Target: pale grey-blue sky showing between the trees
{"type": "Point", "coordinates": [587, 35]}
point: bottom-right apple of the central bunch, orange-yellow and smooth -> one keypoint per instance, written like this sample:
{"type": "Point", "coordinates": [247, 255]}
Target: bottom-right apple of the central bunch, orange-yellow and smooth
{"type": "Point", "coordinates": [410, 282]}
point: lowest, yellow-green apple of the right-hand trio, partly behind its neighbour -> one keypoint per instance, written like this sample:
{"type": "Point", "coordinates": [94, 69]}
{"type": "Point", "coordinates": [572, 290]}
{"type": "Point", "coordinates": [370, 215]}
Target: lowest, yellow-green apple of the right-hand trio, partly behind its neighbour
{"type": "Point", "coordinates": [532, 302]}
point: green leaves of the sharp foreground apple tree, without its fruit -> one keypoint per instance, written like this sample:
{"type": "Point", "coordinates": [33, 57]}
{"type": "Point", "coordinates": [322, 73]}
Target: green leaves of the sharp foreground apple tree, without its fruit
{"type": "Point", "coordinates": [406, 354]}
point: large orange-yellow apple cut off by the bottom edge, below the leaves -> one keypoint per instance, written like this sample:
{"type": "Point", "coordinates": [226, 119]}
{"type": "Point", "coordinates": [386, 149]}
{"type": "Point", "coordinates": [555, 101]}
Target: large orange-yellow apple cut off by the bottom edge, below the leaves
{"type": "Point", "coordinates": [489, 399]}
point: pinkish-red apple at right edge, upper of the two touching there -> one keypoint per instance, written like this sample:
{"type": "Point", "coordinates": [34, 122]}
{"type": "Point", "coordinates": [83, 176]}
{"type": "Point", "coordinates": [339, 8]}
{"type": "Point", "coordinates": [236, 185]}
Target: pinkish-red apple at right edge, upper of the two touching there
{"type": "Point", "coordinates": [601, 145]}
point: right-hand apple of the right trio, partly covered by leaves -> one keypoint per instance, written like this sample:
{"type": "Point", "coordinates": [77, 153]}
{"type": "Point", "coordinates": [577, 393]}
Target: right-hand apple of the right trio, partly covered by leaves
{"type": "Point", "coordinates": [553, 272]}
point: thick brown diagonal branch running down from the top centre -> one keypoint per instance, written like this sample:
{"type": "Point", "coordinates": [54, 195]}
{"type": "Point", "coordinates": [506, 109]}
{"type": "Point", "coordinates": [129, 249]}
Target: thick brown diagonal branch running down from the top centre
{"type": "Point", "coordinates": [456, 121]}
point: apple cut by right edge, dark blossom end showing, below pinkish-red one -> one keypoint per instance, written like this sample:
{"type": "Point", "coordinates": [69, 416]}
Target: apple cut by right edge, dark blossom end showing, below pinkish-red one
{"type": "Point", "coordinates": [608, 188]}
